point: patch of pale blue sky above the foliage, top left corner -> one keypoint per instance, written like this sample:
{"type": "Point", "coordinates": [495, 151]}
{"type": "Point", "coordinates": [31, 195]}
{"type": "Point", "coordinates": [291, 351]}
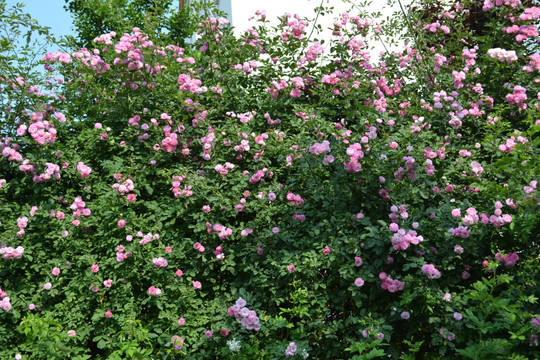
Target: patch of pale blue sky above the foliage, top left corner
{"type": "Point", "coordinates": [49, 13]}
